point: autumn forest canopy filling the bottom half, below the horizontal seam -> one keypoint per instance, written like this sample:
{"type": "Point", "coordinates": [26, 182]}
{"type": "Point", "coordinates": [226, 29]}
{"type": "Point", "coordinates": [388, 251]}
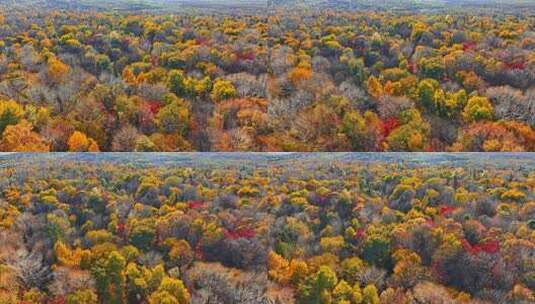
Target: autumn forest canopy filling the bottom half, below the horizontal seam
{"type": "Point", "coordinates": [294, 229]}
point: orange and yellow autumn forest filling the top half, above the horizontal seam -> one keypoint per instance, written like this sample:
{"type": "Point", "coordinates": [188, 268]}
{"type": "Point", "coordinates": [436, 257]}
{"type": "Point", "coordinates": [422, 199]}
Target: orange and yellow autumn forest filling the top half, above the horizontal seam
{"type": "Point", "coordinates": [286, 80]}
